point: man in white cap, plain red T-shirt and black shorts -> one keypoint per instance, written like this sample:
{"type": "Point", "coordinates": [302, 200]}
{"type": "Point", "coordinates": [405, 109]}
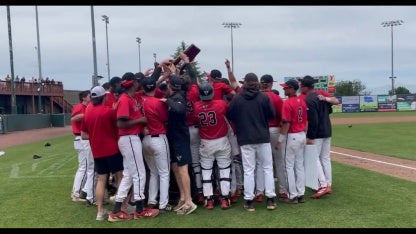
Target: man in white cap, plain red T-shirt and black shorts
{"type": "Point", "coordinates": [100, 129]}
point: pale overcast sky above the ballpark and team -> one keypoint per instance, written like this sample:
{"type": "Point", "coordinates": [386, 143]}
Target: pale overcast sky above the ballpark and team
{"type": "Point", "coordinates": [346, 41]}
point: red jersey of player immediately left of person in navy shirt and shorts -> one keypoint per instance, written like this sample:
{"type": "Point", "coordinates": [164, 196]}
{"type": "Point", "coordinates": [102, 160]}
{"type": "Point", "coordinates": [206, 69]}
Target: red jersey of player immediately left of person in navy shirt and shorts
{"type": "Point", "coordinates": [156, 113]}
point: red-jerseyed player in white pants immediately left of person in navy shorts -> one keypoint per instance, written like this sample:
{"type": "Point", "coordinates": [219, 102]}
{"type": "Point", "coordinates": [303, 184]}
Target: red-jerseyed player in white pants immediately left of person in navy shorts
{"type": "Point", "coordinates": [155, 146]}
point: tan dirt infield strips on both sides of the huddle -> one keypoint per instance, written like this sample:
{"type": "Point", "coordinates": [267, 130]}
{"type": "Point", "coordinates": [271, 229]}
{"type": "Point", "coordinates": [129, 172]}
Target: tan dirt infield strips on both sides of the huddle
{"type": "Point", "coordinates": [401, 168]}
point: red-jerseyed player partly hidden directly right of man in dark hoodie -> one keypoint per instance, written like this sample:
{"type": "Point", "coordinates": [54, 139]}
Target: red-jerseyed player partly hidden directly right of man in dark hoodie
{"type": "Point", "coordinates": [266, 84]}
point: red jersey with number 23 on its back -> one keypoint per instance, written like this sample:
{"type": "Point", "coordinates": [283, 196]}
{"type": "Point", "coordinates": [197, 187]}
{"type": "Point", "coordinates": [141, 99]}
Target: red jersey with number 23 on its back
{"type": "Point", "coordinates": [211, 118]}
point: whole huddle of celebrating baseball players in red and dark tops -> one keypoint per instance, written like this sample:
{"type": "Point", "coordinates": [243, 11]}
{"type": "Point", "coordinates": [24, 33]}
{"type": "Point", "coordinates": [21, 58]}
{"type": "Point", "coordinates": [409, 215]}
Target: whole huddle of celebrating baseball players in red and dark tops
{"type": "Point", "coordinates": [217, 138]}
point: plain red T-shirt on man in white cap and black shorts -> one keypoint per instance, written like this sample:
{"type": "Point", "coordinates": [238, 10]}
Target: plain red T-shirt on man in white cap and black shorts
{"type": "Point", "coordinates": [100, 122]}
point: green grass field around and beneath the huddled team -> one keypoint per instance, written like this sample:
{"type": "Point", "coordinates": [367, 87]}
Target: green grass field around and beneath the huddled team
{"type": "Point", "coordinates": [36, 192]}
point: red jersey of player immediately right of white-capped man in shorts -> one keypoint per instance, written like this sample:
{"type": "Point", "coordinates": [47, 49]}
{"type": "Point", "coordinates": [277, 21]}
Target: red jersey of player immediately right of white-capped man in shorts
{"type": "Point", "coordinates": [130, 108]}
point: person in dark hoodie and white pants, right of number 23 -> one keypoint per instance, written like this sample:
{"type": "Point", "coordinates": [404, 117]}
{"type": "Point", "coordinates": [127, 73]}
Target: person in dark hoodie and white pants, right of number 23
{"type": "Point", "coordinates": [250, 110]}
